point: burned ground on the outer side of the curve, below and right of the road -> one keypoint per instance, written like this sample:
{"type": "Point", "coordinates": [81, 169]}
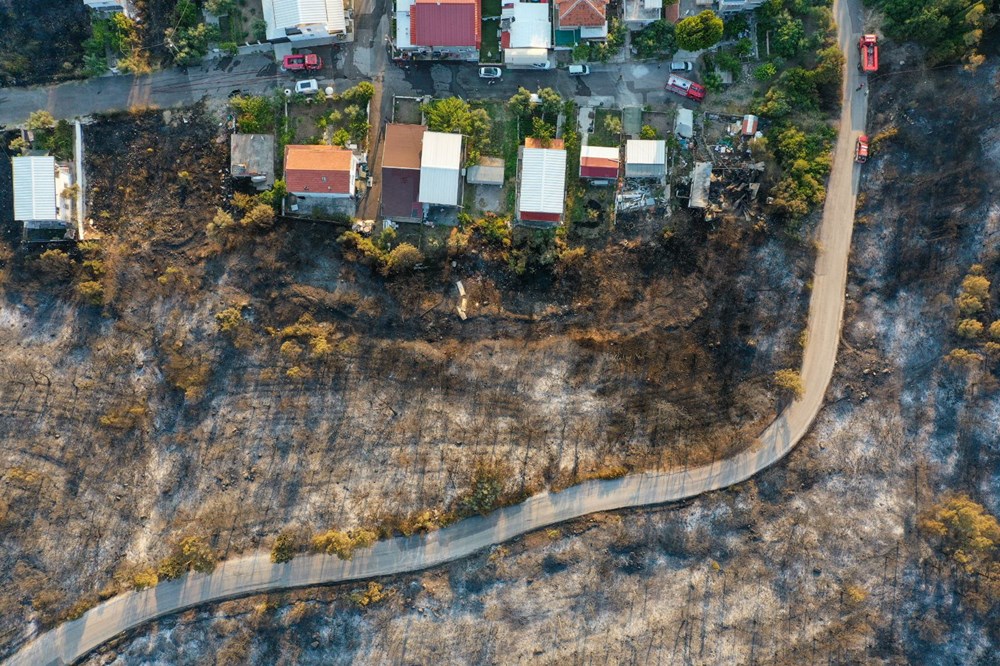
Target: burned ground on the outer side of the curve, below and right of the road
{"type": "Point", "coordinates": [821, 558]}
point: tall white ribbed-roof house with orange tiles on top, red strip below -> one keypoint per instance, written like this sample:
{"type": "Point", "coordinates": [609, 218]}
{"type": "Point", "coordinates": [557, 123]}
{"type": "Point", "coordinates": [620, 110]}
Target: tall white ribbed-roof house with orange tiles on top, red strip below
{"type": "Point", "coordinates": [541, 190]}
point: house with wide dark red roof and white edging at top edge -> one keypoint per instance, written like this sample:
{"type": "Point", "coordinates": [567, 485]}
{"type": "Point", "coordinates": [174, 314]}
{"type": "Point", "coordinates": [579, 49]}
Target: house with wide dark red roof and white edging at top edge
{"type": "Point", "coordinates": [441, 29]}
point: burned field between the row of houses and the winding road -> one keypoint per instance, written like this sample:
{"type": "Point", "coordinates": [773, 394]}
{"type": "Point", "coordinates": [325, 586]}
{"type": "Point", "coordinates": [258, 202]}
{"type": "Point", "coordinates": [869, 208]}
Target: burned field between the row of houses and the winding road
{"type": "Point", "coordinates": [334, 397]}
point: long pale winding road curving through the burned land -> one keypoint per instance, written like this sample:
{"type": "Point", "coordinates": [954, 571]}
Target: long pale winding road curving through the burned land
{"type": "Point", "coordinates": [254, 573]}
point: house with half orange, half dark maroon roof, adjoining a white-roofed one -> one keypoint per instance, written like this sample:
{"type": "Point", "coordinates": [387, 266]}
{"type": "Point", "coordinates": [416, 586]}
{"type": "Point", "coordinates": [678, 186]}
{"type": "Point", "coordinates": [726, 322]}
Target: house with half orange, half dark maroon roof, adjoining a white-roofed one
{"type": "Point", "coordinates": [401, 171]}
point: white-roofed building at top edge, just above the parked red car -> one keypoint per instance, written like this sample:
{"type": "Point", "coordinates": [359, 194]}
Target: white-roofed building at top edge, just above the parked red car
{"type": "Point", "coordinates": [305, 22]}
